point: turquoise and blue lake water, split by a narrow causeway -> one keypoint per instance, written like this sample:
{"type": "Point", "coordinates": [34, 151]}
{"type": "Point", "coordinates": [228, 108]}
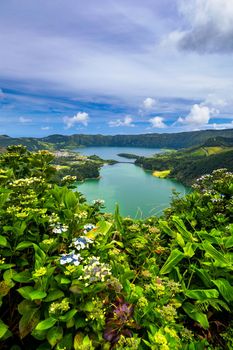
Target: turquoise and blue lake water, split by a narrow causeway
{"type": "Point", "coordinates": [138, 193]}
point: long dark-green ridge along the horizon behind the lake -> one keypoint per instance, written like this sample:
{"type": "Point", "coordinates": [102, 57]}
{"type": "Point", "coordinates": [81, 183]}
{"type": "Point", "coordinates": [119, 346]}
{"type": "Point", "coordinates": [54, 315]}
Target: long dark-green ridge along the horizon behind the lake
{"type": "Point", "coordinates": [155, 140]}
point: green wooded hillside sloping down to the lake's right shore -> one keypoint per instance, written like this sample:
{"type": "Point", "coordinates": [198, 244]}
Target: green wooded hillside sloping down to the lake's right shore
{"type": "Point", "coordinates": [189, 164]}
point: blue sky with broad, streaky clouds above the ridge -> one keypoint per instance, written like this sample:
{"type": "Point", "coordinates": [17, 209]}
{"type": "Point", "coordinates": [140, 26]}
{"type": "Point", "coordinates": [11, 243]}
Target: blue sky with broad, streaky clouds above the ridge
{"type": "Point", "coordinates": [115, 66]}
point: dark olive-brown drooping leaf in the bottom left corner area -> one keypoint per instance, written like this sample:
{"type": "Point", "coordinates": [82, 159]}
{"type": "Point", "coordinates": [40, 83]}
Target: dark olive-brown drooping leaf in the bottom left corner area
{"type": "Point", "coordinates": [28, 321]}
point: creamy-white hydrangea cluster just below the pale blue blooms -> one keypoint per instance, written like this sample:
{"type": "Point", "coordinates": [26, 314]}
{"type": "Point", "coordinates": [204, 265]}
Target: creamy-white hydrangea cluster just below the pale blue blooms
{"type": "Point", "coordinates": [95, 271]}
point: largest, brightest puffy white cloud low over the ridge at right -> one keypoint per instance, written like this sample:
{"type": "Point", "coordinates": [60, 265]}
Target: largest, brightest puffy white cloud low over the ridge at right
{"type": "Point", "coordinates": [199, 115]}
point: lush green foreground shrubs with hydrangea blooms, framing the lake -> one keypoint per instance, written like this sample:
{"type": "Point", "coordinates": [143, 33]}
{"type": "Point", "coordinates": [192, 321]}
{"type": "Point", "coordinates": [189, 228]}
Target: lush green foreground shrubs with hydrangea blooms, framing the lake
{"type": "Point", "coordinates": [75, 278]}
